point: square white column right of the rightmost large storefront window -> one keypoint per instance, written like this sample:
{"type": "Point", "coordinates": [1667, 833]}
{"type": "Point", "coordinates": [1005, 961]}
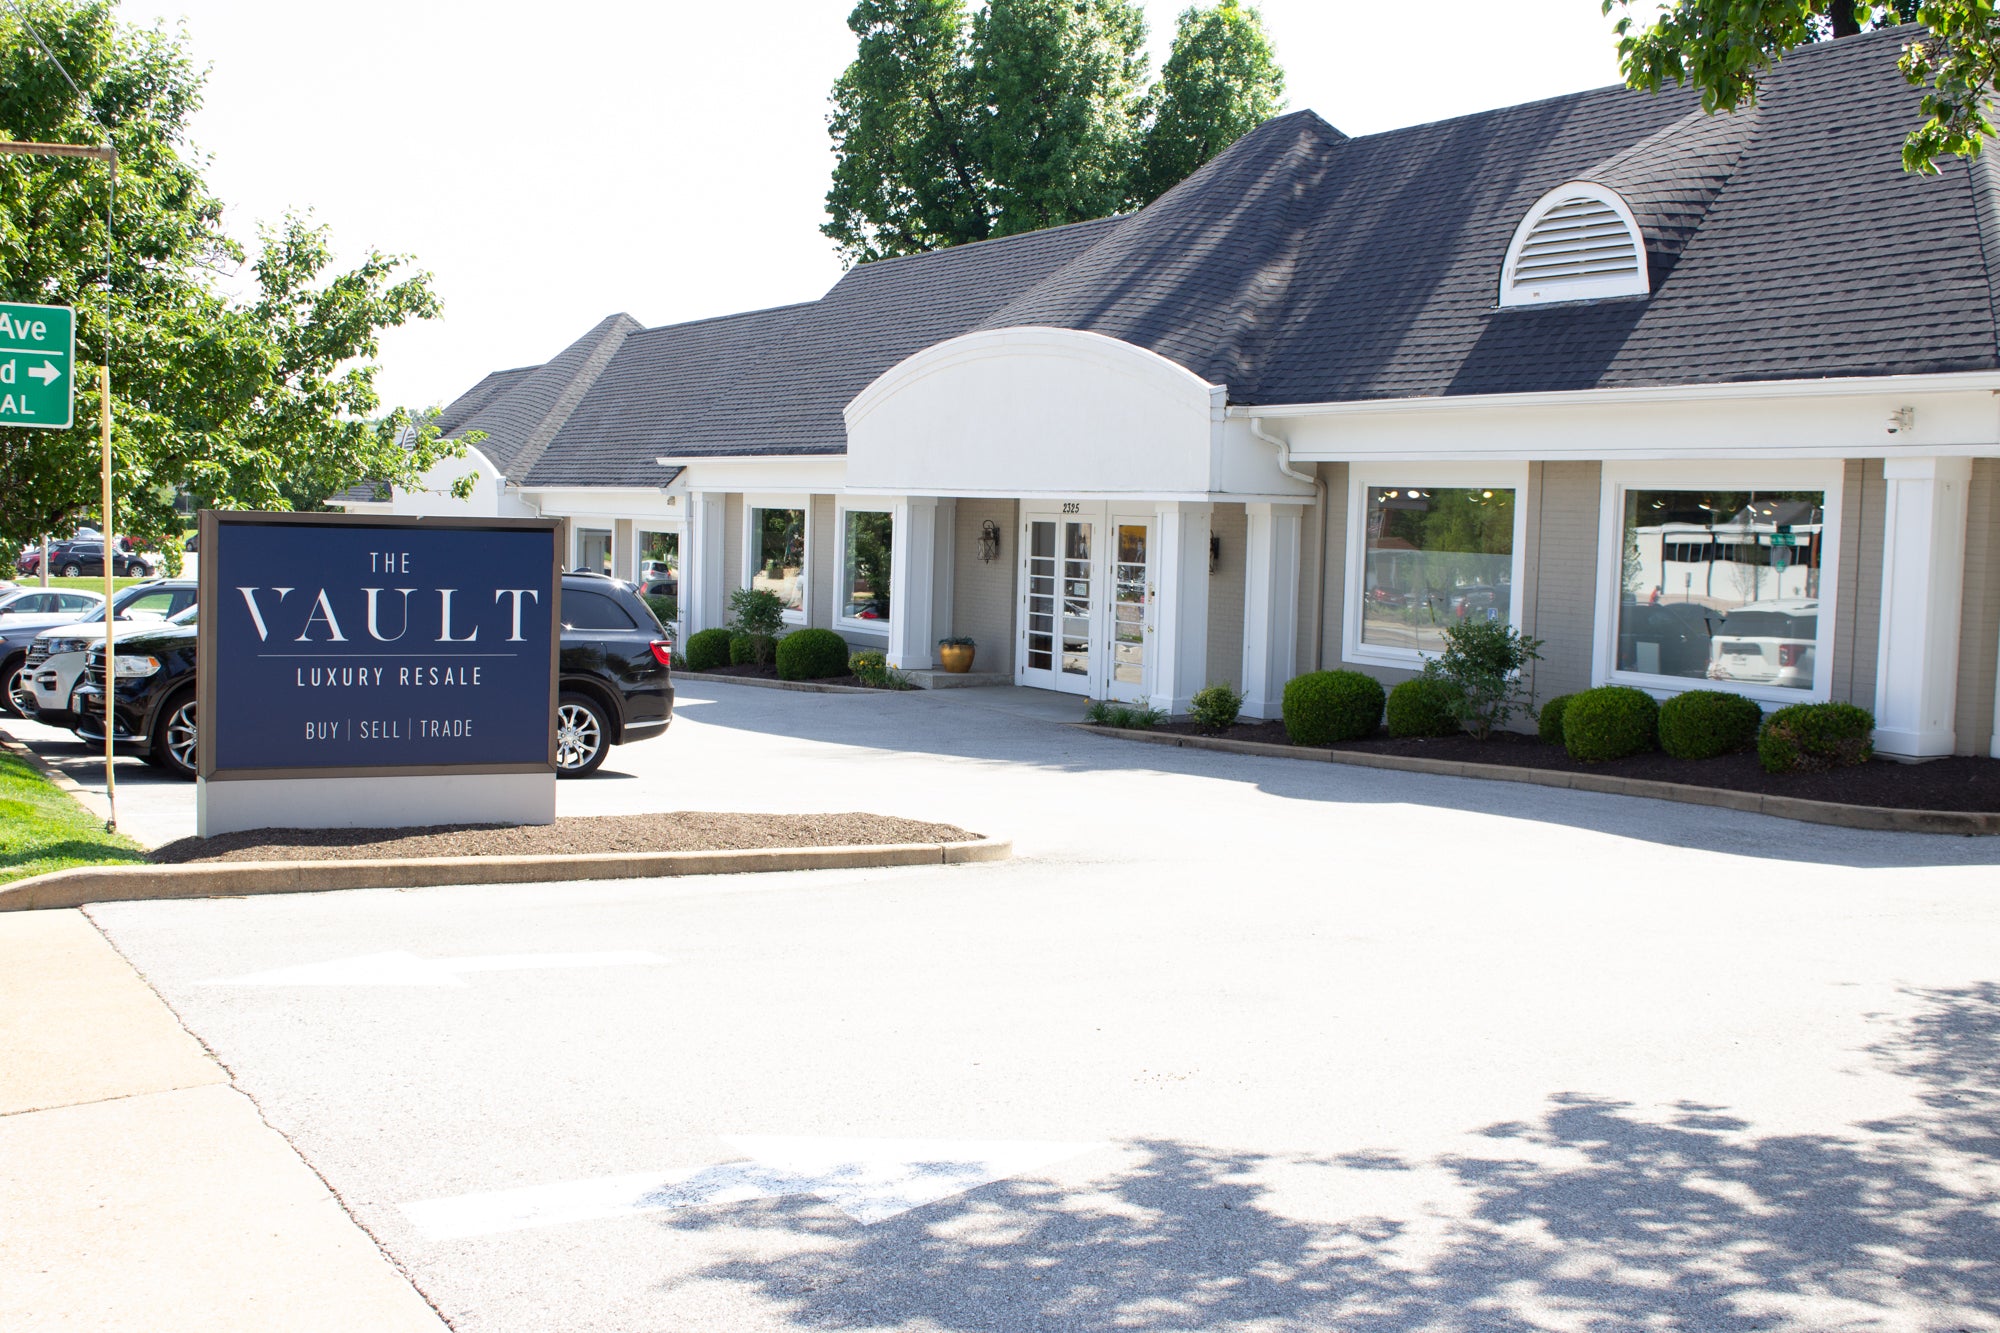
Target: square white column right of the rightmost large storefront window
{"type": "Point", "coordinates": [1923, 587]}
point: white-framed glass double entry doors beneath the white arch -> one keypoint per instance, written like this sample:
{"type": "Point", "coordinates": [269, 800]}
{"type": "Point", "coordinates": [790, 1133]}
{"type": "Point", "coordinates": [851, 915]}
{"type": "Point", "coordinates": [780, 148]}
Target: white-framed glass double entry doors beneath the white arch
{"type": "Point", "coordinates": [1087, 603]}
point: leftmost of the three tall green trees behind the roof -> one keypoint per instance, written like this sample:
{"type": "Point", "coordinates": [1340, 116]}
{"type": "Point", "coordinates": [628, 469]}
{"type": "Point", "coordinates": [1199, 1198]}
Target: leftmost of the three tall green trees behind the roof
{"type": "Point", "coordinates": [903, 125]}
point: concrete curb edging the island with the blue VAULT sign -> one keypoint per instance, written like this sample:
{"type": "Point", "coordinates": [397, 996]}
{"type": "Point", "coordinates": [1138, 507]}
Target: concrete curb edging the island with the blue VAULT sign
{"type": "Point", "coordinates": [225, 880]}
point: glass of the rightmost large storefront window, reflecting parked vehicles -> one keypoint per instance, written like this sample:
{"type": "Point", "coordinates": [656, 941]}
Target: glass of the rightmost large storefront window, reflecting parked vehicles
{"type": "Point", "coordinates": [1723, 585]}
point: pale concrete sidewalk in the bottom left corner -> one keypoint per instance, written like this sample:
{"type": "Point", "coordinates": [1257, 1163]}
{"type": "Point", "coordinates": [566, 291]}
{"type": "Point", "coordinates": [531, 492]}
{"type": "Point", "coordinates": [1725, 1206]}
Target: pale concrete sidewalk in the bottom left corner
{"type": "Point", "coordinates": [139, 1188]}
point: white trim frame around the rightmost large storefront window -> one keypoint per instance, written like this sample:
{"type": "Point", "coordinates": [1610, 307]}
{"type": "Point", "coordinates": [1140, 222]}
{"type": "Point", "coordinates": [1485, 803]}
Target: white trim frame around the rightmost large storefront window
{"type": "Point", "coordinates": [1743, 475]}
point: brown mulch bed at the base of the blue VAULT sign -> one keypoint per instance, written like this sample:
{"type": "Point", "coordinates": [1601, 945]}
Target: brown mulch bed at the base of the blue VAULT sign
{"type": "Point", "coordinates": [595, 834]}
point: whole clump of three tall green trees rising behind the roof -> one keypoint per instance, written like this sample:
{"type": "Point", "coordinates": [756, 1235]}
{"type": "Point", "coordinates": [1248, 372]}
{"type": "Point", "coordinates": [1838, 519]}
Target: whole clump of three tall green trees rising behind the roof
{"type": "Point", "coordinates": [957, 127]}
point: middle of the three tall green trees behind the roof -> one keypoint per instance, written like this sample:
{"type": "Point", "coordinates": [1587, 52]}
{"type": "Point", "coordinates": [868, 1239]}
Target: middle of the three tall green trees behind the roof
{"type": "Point", "coordinates": [1059, 89]}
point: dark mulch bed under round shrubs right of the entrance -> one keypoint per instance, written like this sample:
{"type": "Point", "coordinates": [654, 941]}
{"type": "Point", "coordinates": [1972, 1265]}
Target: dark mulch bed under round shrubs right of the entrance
{"type": "Point", "coordinates": [1957, 784]}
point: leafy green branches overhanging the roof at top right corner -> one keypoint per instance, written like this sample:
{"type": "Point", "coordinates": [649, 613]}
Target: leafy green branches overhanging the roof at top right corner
{"type": "Point", "coordinates": [1727, 47]}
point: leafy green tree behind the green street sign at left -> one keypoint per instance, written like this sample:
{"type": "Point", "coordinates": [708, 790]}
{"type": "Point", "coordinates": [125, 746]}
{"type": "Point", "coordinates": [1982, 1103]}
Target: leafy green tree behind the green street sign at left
{"type": "Point", "coordinates": [259, 401]}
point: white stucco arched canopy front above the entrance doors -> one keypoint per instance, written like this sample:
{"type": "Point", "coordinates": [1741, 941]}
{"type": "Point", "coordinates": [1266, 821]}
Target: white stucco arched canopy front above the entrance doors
{"type": "Point", "coordinates": [1037, 411]}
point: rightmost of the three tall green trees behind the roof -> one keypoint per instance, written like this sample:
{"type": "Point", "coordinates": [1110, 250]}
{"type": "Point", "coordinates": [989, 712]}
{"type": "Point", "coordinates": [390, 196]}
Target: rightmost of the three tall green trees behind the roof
{"type": "Point", "coordinates": [1219, 83]}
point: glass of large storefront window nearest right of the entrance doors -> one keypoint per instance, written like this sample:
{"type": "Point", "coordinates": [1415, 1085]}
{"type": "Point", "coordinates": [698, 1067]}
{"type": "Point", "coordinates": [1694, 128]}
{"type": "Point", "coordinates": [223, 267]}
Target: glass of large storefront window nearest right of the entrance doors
{"type": "Point", "coordinates": [1433, 557]}
